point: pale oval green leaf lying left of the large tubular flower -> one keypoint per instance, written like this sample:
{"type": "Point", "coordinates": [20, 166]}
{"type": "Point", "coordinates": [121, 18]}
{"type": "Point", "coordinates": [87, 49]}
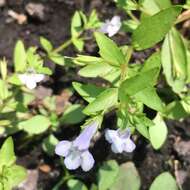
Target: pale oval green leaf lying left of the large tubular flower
{"type": "Point", "coordinates": [36, 125]}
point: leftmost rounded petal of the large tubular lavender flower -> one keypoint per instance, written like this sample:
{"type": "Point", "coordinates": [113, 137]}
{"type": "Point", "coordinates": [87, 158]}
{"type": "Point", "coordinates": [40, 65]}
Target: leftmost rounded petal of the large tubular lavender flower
{"type": "Point", "coordinates": [63, 148]}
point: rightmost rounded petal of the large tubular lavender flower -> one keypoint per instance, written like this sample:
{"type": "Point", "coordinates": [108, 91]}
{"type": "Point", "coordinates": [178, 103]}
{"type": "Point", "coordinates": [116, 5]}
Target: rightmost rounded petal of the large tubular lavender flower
{"type": "Point", "coordinates": [87, 161]}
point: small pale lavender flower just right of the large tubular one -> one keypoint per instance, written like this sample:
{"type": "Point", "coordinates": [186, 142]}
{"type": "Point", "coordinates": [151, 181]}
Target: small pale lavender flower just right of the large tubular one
{"type": "Point", "coordinates": [120, 140]}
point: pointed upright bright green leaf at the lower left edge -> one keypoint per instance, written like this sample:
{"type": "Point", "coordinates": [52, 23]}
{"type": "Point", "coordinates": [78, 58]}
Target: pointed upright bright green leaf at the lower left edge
{"type": "Point", "coordinates": [7, 155]}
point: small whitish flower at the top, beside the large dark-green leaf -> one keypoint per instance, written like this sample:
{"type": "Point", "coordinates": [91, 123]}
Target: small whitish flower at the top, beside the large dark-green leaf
{"type": "Point", "coordinates": [111, 27]}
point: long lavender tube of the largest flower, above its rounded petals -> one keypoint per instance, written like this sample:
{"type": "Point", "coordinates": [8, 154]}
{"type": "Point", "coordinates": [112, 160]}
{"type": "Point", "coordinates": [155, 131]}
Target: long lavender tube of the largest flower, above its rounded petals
{"type": "Point", "coordinates": [82, 142]}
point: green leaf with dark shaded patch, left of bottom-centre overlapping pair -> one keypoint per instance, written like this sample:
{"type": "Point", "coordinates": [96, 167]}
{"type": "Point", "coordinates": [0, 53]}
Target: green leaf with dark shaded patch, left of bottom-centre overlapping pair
{"type": "Point", "coordinates": [107, 174]}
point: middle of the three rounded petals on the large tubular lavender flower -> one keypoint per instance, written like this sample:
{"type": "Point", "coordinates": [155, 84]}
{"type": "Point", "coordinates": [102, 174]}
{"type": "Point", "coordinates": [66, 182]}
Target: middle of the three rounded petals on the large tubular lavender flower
{"type": "Point", "coordinates": [72, 161]}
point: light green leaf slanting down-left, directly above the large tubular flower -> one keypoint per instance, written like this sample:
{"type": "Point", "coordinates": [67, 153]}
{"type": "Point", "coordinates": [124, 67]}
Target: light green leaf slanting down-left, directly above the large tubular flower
{"type": "Point", "coordinates": [104, 101]}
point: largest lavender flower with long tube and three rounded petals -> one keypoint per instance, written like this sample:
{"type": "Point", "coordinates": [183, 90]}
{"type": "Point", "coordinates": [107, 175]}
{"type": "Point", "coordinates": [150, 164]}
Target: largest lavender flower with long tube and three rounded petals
{"type": "Point", "coordinates": [76, 152]}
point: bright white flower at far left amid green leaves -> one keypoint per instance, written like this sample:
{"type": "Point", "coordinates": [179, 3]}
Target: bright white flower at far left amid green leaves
{"type": "Point", "coordinates": [30, 78]}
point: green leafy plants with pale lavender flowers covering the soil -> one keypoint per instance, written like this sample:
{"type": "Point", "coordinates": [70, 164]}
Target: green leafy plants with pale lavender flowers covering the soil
{"type": "Point", "coordinates": [160, 82]}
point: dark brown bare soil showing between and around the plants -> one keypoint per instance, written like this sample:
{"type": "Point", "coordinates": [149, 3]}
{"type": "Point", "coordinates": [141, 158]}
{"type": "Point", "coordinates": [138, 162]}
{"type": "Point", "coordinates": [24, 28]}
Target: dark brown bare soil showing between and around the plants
{"type": "Point", "coordinates": [56, 27]}
